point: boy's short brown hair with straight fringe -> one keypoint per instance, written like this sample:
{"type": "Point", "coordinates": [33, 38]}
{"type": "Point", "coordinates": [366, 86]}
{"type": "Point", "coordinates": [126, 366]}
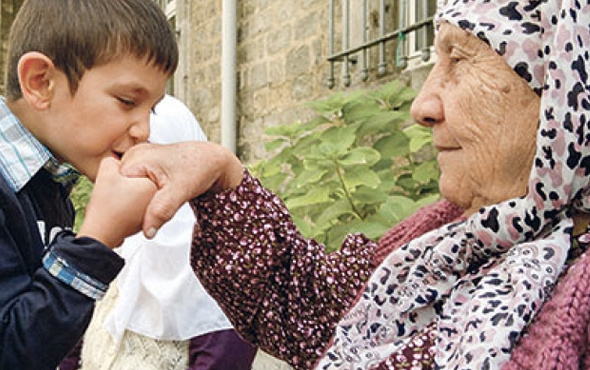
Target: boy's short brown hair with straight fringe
{"type": "Point", "coordinates": [80, 34]}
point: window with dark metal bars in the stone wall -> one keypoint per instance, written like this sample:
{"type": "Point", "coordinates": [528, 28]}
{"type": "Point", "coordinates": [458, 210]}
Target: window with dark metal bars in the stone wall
{"type": "Point", "coordinates": [384, 36]}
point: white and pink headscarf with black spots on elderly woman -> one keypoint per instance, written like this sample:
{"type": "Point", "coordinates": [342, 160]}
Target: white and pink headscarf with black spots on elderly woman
{"type": "Point", "coordinates": [482, 281]}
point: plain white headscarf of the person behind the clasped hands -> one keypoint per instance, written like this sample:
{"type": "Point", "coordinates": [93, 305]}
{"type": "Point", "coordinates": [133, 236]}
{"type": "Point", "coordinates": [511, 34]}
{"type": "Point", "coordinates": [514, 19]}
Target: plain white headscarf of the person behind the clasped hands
{"type": "Point", "coordinates": [159, 294]}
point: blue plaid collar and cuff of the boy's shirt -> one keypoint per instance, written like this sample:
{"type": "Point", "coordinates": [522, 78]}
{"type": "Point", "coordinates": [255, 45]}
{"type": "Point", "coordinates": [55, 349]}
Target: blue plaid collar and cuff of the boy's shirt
{"type": "Point", "coordinates": [21, 157]}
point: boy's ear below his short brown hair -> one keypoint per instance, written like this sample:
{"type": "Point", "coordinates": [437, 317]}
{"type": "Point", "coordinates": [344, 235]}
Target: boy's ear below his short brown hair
{"type": "Point", "coordinates": [36, 73]}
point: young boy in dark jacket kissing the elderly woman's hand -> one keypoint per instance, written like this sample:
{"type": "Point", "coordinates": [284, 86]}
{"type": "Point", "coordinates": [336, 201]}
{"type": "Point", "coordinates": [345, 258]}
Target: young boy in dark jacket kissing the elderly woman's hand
{"type": "Point", "coordinates": [83, 76]}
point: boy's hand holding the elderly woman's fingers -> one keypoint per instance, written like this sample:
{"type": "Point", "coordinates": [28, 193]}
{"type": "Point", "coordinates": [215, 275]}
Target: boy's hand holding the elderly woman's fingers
{"type": "Point", "coordinates": [117, 205]}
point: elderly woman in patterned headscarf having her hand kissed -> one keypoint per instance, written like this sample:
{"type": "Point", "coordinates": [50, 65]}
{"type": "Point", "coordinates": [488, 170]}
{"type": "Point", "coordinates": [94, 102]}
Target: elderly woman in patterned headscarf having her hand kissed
{"type": "Point", "coordinates": [505, 284]}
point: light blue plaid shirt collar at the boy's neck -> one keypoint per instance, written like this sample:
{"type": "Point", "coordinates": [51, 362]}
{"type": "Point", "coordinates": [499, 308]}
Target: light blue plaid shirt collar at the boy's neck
{"type": "Point", "coordinates": [22, 155]}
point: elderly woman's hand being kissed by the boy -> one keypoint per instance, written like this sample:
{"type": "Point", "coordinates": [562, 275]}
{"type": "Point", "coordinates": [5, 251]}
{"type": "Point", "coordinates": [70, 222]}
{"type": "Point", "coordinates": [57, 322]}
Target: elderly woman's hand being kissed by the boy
{"type": "Point", "coordinates": [181, 172]}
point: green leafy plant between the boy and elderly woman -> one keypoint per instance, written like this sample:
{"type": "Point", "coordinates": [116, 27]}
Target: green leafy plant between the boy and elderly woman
{"type": "Point", "coordinates": [358, 165]}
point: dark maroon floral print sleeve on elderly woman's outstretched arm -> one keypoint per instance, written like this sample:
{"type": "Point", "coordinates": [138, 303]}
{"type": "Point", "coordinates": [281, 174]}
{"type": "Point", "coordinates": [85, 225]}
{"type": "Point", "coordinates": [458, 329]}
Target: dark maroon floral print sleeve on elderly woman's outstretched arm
{"type": "Point", "coordinates": [281, 291]}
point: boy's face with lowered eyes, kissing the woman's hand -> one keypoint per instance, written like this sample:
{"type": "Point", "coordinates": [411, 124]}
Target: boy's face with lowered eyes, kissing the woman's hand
{"type": "Point", "coordinates": [108, 114]}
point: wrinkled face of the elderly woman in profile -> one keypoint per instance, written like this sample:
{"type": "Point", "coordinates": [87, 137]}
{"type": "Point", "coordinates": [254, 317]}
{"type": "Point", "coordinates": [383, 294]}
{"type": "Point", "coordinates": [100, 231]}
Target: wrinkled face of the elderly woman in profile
{"type": "Point", "coordinates": [483, 118]}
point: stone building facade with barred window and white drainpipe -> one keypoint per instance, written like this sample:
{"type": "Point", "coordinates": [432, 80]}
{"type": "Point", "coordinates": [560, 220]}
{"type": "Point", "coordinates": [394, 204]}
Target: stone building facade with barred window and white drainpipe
{"type": "Point", "coordinates": [285, 54]}
